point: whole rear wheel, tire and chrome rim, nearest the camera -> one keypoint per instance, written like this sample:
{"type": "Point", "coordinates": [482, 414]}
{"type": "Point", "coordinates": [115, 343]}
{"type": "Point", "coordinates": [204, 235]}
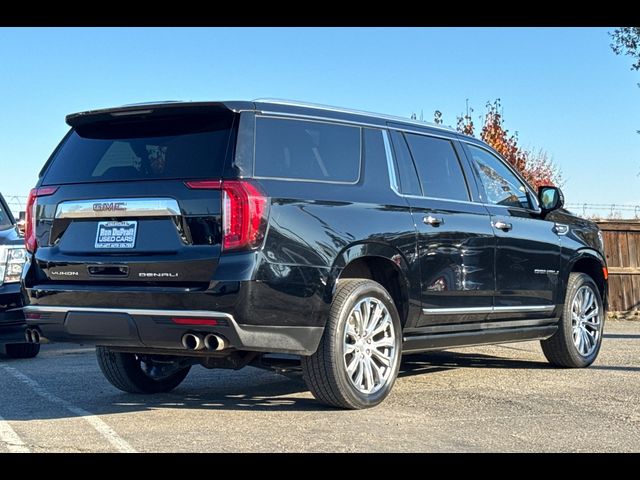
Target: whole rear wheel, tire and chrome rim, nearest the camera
{"type": "Point", "coordinates": [358, 358]}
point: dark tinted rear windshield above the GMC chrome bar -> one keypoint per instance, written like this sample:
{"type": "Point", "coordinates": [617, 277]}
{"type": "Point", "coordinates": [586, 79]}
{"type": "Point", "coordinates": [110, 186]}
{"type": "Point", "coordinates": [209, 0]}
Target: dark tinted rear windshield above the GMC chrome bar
{"type": "Point", "coordinates": [151, 149]}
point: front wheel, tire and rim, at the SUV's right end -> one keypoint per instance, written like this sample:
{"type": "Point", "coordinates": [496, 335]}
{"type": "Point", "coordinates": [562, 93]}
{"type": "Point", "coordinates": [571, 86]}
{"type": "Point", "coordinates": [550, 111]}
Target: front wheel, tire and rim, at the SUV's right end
{"type": "Point", "coordinates": [577, 342]}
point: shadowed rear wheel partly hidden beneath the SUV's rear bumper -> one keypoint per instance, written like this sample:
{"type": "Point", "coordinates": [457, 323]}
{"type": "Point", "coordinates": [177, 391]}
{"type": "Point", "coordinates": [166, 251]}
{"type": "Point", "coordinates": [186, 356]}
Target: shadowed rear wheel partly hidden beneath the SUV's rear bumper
{"type": "Point", "coordinates": [134, 373]}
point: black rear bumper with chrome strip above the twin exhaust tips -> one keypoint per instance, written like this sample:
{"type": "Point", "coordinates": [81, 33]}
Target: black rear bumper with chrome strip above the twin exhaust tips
{"type": "Point", "coordinates": [157, 329]}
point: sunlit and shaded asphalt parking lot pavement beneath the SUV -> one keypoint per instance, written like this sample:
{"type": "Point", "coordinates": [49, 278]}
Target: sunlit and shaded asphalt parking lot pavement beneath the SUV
{"type": "Point", "coordinates": [483, 399]}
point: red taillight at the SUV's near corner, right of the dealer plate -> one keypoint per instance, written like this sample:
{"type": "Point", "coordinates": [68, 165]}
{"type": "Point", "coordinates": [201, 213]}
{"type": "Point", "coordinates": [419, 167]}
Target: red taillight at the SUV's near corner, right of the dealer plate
{"type": "Point", "coordinates": [244, 212]}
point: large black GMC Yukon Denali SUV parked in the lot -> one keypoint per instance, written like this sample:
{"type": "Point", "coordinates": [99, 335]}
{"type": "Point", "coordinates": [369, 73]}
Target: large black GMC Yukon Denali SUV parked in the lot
{"type": "Point", "coordinates": [173, 234]}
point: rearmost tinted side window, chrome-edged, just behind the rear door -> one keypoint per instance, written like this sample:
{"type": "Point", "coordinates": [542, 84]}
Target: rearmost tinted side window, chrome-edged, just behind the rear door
{"type": "Point", "coordinates": [306, 150]}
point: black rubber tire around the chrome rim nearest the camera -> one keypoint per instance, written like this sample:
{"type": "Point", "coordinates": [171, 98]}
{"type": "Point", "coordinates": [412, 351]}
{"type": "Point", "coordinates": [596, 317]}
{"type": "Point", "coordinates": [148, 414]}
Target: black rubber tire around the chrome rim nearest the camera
{"type": "Point", "coordinates": [325, 372]}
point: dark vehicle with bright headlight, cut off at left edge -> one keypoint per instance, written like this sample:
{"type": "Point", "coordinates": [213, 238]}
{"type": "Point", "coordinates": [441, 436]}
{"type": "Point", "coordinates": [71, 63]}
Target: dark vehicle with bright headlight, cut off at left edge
{"type": "Point", "coordinates": [12, 259]}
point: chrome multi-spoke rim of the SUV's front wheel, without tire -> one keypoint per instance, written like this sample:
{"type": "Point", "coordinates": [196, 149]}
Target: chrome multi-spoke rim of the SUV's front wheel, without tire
{"type": "Point", "coordinates": [586, 321]}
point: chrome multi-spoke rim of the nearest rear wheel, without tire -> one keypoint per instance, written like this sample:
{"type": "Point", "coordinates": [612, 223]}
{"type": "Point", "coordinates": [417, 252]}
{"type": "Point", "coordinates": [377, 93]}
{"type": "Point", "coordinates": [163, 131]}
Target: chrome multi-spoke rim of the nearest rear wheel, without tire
{"type": "Point", "coordinates": [369, 346]}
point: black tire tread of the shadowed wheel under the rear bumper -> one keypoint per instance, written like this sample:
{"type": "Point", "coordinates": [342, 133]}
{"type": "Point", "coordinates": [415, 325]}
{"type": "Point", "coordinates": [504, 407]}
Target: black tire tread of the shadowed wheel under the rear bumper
{"type": "Point", "coordinates": [124, 371]}
